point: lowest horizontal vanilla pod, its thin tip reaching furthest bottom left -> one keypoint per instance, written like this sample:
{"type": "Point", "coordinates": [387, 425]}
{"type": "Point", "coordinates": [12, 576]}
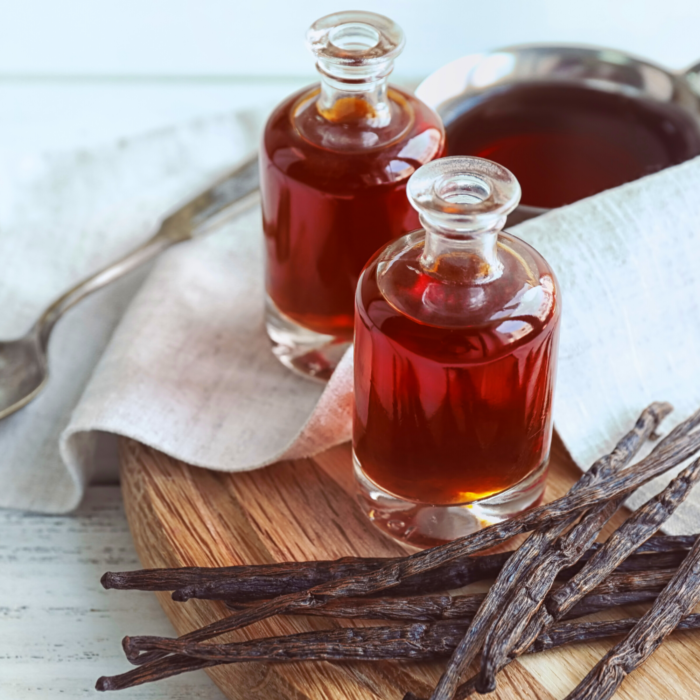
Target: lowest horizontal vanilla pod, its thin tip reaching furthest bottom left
{"type": "Point", "coordinates": [418, 641]}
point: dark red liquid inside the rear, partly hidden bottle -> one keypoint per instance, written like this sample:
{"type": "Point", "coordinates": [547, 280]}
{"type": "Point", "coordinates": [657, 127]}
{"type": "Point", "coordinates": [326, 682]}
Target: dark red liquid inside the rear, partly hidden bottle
{"type": "Point", "coordinates": [326, 211]}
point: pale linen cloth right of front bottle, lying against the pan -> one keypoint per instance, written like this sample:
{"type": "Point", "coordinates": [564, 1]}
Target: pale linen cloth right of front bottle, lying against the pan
{"type": "Point", "coordinates": [628, 261]}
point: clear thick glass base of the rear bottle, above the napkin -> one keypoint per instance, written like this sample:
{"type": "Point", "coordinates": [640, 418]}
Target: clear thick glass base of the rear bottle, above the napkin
{"type": "Point", "coordinates": [310, 354]}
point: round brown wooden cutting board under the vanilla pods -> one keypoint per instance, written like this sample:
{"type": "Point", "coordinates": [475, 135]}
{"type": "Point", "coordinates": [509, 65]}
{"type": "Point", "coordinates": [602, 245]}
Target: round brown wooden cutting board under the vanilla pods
{"type": "Point", "coordinates": [185, 516]}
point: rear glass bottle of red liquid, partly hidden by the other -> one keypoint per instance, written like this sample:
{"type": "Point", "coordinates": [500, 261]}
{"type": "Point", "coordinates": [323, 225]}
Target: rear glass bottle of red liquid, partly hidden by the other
{"type": "Point", "coordinates": [335, 161]}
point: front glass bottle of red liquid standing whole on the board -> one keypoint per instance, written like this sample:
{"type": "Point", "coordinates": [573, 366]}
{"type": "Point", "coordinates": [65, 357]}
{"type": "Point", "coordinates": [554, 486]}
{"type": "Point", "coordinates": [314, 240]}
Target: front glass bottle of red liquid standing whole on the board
{"type": "Point", "coordinates": [456, 333]}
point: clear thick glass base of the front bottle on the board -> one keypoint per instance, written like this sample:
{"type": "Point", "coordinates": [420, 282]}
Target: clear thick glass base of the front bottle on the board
{"type": "Point", "coordinates": [423, 525]}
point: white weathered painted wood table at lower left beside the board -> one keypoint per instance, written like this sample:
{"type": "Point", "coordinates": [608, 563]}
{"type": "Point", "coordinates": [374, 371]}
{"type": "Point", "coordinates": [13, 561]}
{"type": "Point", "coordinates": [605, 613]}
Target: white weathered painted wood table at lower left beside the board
{"type": "Point", "coordinates": [59, 630]}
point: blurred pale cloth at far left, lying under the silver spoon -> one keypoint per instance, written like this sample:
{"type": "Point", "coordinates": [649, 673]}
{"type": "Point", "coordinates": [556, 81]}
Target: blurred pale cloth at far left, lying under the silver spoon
{"type": "Point", "coordinates": [62, 217]}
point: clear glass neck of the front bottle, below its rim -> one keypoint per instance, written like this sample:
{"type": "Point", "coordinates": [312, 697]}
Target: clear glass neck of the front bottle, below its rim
{"type": "Point", "coordinates": [462, 256]}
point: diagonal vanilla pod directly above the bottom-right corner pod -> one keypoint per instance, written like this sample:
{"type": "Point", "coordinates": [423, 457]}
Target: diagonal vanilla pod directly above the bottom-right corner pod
{"type": "Point", "coordinates": [639, 526]}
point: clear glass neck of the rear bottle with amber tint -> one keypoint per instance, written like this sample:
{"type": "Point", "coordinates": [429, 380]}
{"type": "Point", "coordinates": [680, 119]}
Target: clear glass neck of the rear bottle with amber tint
{"type": "Point", "coordinates": [358, 101]}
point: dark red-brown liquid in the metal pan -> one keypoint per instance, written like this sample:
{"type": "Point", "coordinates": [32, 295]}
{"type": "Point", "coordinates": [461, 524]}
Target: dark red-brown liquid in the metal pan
{"type": "Point", "coordinates": [566, 142]}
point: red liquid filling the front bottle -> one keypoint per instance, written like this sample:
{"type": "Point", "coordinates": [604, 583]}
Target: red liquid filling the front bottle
{"type": "Point", "coordinates": [447, 415]}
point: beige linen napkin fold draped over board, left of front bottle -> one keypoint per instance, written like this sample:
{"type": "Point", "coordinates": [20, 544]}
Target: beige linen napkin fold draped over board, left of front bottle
{"type": "Point", "coordinates": [190, 370]}
